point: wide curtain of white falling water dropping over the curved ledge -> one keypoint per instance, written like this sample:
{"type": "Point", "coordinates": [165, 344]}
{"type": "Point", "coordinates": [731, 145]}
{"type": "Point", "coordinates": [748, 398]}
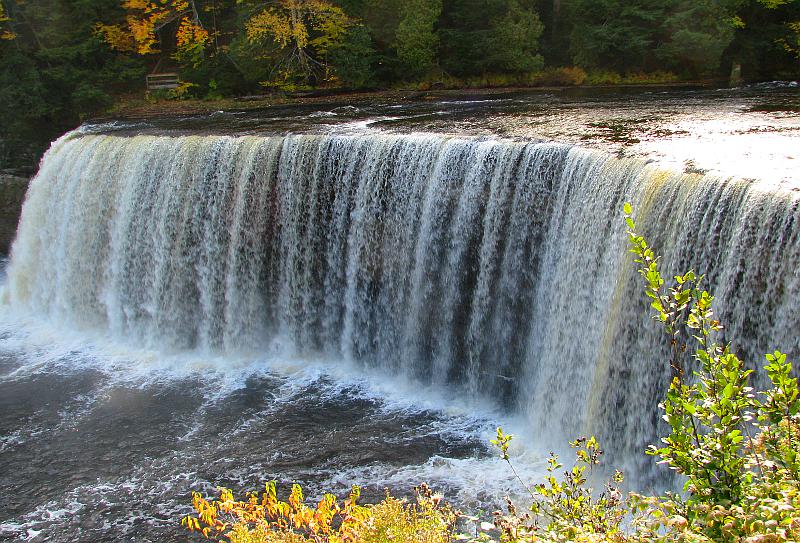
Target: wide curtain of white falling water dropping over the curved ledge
{"type": "Point", "coordinates": [497, 267]}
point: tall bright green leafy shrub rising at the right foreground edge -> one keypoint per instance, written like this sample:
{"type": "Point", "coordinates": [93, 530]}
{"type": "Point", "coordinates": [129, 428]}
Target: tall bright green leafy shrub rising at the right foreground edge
{"type": "Point", "coordinates": [737, 450]}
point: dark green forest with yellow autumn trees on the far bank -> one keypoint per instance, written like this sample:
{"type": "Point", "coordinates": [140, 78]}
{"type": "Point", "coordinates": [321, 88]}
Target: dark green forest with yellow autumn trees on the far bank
{"type": "Point", "coordinates": [64, 60]}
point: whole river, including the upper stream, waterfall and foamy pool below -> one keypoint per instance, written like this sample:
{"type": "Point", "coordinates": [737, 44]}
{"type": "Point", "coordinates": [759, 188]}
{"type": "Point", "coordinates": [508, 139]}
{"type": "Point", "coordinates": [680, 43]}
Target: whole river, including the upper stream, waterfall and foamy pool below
{"type": "Point", "coordinates": [361, 292]}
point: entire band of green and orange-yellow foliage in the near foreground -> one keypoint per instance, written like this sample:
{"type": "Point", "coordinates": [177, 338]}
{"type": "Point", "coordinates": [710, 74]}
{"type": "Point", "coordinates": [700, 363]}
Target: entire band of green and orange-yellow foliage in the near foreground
{"type": "Point", "coordinates": [737, 450]}
